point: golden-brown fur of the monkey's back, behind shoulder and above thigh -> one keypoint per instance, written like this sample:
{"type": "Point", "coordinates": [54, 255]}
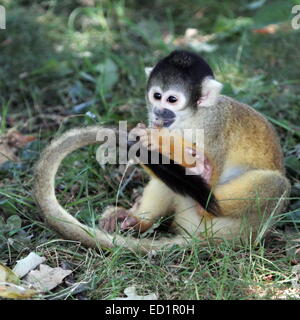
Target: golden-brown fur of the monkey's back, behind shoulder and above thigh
{"type": "Point", "coordinates": [250, 137]}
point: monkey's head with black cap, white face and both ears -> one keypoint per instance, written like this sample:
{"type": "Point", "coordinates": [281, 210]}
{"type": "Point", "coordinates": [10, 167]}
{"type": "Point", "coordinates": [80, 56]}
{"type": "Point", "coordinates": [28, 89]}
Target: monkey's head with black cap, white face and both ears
{"type": "Point", "coordinates": [177, 86]}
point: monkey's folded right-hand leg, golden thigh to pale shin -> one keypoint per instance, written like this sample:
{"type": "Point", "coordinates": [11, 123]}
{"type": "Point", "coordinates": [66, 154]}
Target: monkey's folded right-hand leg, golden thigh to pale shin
{"type": "Point", "coordinates": [245, 203]}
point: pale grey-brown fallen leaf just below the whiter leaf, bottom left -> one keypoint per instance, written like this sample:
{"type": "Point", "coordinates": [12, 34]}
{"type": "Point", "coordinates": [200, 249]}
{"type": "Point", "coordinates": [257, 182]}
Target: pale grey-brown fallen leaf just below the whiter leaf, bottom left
{"type": "Point", "coordinates": [46, 278]}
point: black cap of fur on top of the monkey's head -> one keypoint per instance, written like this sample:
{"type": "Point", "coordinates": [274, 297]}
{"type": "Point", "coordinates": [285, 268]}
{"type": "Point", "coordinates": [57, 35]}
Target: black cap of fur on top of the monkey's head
{"type": "Point", "coordinates": [187, 69]}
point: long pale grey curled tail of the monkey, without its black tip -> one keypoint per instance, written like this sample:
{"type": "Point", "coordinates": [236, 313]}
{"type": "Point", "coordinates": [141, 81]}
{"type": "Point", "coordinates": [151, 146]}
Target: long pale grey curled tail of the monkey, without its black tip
{"type": "Point", "coordinates": [63, 222]}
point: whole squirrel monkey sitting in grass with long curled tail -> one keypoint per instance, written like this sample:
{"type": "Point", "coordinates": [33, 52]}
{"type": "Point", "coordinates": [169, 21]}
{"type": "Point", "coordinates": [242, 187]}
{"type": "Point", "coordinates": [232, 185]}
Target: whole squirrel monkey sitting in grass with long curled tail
{"type": "Point", "coordinates": [239, 181]}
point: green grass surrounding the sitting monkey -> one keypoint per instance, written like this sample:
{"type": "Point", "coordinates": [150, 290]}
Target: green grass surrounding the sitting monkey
{"type": "Point", "coordinates": [67, 63]}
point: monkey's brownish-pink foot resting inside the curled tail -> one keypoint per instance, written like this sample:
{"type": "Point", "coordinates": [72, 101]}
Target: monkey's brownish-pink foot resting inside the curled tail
{"type": "Point", "coordinates": [113, 216]}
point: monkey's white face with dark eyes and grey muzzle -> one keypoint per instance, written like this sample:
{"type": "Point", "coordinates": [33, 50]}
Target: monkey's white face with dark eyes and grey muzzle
{"type": "Point", "coordinates": [167, 105]}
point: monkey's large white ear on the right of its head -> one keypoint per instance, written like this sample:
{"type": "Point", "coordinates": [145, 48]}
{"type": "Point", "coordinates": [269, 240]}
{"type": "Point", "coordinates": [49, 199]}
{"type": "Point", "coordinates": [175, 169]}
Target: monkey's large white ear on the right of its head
{"type": "Point", "coordinates": [210, 92]}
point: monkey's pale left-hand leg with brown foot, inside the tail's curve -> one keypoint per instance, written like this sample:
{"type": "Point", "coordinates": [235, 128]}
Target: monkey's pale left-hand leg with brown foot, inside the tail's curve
{"type": "Point", "coordinates": [156, 202]}
